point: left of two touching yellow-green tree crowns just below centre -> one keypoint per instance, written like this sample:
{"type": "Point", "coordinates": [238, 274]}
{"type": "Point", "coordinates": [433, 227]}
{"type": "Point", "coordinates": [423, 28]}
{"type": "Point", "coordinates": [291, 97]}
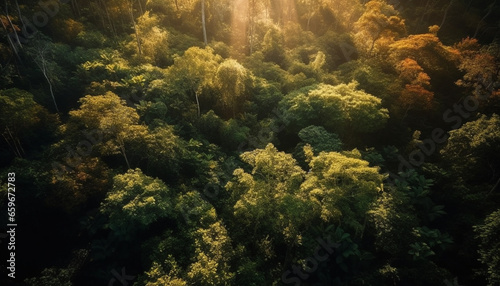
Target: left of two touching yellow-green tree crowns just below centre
{"type": "Point", "coordinates": [268, 199]}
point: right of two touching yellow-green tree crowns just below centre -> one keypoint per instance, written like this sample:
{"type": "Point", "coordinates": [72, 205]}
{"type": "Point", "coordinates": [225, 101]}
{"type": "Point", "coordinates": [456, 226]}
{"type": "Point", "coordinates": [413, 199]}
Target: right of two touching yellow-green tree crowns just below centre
{"type": "Point", "coordinates": [342, 187]}
